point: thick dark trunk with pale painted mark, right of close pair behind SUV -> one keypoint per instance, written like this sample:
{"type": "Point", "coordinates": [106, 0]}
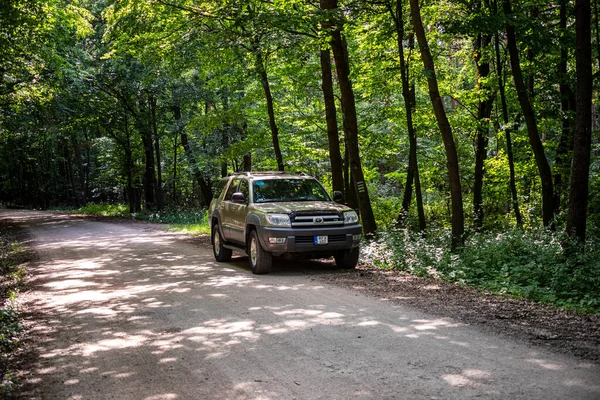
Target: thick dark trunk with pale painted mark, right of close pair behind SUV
{"type": "Point", "coordinates": [340, 55]}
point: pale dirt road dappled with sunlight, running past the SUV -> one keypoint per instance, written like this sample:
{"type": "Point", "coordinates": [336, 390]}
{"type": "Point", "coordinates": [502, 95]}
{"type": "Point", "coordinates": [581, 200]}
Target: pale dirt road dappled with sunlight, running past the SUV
{"type": "Point", "coordinates": [124, 311]}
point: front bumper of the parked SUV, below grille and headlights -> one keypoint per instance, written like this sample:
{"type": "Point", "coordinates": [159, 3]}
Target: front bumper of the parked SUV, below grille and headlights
{"type": "Point", "coordinates": [301, 240]}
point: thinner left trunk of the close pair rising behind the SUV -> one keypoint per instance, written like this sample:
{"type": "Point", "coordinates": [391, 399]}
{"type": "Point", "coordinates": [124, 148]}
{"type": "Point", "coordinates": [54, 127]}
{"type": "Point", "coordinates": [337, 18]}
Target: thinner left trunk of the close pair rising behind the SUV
{"type": "Point", "coordinates": [335, 156]}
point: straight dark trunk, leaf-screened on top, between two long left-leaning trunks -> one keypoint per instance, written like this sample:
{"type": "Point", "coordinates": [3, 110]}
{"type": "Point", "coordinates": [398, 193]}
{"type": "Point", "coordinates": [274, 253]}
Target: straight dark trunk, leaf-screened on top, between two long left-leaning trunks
{"type": "Point", "coordinates": [484, 111]}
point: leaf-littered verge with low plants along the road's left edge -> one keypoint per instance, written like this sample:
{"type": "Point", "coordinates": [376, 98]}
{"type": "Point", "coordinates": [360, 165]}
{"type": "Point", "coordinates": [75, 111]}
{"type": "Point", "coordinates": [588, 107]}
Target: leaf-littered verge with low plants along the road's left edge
{"type": "Point", "coordinates": [12, 278]}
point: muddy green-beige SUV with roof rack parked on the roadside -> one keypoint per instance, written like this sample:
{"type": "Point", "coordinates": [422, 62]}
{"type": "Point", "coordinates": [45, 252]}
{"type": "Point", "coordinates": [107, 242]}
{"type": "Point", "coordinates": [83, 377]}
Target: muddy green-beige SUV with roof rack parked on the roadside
{"type": "Point", "coordinates": [266, 214]}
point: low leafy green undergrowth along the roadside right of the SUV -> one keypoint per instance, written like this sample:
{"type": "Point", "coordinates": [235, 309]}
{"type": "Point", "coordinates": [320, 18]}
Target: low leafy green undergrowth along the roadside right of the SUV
{"type": "Point", "coordinates": [533, 264]}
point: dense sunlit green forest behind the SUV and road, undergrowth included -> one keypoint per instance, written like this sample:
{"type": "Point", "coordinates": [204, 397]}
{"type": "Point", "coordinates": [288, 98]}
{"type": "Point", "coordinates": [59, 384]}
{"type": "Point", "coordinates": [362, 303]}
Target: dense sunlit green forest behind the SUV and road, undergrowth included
{"type": "Point", "coordinates": [465, 132]}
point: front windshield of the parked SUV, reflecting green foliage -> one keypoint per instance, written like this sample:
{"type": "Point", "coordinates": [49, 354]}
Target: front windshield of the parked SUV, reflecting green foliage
{"type": "Point", "coordinates": [272, 190]}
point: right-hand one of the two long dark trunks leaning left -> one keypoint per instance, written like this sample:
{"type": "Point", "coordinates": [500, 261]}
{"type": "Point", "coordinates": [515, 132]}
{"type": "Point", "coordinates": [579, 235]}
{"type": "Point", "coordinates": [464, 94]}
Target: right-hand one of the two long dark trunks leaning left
{"type": "Point", "coordinates": [530, 119]}
